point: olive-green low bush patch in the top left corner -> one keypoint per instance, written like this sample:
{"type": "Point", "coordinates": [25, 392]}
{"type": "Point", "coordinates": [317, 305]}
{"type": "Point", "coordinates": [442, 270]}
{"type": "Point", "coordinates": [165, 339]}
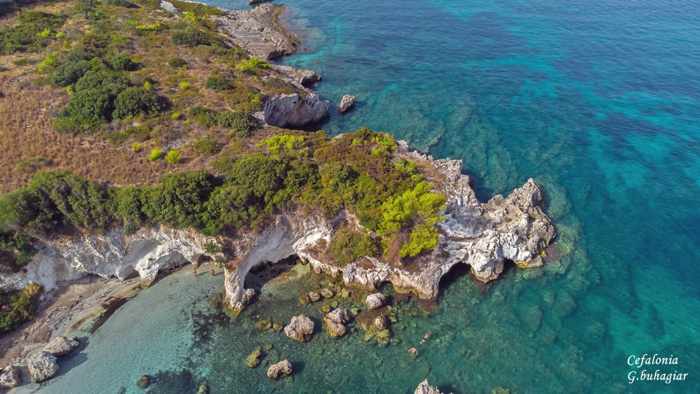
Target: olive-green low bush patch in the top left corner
{"type": "Point", "coordinates": [32, 32]}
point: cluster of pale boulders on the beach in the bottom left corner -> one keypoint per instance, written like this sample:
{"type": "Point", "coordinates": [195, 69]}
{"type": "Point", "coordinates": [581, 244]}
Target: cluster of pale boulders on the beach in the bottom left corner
{"type": "Point", "coordinates": [40, 365]}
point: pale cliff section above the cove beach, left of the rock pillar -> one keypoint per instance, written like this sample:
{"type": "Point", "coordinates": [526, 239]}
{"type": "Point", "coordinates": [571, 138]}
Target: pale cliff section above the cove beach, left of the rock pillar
{"type": "Point", "coordinates": [114, 254]}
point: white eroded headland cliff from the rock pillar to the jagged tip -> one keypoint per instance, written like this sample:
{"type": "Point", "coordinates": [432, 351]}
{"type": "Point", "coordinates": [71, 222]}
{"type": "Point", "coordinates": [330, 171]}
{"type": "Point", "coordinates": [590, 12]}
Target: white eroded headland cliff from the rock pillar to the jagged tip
{"type": "Point", "coordinates": [482, 235]}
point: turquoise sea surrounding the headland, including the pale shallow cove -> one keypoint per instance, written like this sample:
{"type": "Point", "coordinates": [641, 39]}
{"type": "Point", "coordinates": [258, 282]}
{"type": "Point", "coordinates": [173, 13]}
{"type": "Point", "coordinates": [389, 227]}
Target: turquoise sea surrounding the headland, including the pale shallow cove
{"type": "Point", "coordinates": [598, 101]}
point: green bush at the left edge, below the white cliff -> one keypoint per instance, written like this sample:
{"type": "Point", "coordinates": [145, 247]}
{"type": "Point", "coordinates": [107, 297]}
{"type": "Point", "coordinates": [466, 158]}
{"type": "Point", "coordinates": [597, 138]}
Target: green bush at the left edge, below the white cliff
{"type": "Point", "coordinates": [18, 307]}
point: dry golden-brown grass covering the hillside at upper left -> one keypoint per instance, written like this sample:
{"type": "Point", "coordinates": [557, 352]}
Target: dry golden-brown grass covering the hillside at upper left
{"type": "Point", "coordinates": [28, 141]}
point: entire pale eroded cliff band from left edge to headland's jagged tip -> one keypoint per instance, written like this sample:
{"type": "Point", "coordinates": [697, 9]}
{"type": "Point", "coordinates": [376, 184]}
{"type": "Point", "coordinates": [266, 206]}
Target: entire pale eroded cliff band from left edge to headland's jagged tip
{"type": "Point", "coordinates": [482, 235]}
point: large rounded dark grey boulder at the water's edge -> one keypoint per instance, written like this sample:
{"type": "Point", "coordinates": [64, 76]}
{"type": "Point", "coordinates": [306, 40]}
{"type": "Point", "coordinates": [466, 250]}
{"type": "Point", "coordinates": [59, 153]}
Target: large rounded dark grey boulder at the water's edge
{"type": "Point", "coordinates": [294, 111]}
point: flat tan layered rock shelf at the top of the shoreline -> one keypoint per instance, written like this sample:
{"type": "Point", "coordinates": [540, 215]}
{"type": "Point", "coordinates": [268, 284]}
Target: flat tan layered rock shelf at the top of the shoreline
{"type": "Point", "coordinates": [259, 31]}
